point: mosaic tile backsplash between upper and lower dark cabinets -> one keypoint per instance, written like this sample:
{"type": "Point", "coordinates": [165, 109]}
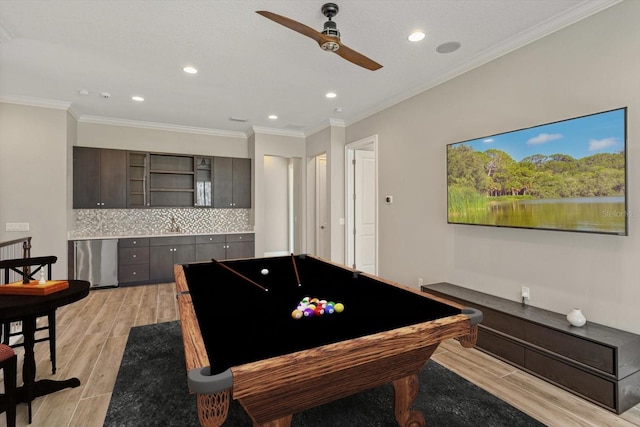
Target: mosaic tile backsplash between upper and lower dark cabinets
{"type": "Point", "coordinates": [124, 222]}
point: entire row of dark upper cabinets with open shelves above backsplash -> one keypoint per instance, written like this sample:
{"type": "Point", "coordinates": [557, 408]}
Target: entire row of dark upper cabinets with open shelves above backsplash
{"type": "Point", "coordinates": [107, 178]}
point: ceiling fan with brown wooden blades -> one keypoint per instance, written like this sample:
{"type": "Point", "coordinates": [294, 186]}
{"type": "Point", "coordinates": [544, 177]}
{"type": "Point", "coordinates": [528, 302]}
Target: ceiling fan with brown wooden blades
{"type": "Point", "coordinates": [328, 39]}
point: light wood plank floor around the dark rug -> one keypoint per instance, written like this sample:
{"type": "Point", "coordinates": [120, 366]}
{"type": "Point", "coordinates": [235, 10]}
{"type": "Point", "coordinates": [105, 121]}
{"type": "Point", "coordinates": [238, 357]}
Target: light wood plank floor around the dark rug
{"type": "Point", "coordinates": [92, 334]}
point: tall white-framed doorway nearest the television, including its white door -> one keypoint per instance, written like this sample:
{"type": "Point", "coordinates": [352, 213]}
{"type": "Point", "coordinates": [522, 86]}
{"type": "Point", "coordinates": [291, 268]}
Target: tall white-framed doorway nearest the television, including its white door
{"type": "Point", "coordinates": [362, 204]}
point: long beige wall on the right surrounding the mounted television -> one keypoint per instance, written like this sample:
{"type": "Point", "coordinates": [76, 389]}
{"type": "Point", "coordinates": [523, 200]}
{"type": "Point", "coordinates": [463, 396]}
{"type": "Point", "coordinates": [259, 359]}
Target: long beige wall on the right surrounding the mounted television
{"type": "Point", "coordinates": [591, 66]}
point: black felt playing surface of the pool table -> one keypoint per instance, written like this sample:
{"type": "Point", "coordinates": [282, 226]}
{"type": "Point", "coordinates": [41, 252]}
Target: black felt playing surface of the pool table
{"type": "Point", "coordinates": [241, 322]}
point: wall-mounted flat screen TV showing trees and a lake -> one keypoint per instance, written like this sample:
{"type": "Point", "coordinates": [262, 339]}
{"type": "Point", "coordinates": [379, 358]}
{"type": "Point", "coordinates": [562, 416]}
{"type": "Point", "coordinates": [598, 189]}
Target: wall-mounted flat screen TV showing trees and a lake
{"type": "Point", "coordinates": [568, 175]}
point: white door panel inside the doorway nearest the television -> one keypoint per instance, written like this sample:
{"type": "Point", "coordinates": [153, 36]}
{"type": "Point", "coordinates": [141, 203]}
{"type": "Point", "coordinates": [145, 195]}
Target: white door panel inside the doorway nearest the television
{"type": "Point", "coordinates": [365, 211]}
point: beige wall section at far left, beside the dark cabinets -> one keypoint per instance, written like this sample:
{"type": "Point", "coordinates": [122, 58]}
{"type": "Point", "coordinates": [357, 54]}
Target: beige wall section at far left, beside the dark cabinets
{"type": "Point", "coordinates": [33, 177]}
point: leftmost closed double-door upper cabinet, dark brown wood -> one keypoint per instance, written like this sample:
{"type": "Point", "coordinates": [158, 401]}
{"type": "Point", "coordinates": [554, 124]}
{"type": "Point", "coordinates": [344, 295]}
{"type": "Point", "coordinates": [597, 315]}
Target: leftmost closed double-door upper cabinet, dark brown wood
{"type": "Point", "coordinates": [99, 178]}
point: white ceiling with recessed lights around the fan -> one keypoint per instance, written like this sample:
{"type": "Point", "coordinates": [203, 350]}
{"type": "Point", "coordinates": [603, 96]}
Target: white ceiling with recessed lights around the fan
{"type": "Point", "coordinates": [249, 66]}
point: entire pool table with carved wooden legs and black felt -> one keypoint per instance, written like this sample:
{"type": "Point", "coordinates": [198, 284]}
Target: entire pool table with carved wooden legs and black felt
{"type": "Point", "coordinates": [241, 340]}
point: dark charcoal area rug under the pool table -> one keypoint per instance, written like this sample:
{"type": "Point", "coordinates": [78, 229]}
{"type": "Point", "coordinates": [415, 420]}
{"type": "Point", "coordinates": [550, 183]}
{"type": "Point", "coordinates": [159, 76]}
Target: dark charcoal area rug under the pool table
{"type": "Point", "coordinates": [151, 390]}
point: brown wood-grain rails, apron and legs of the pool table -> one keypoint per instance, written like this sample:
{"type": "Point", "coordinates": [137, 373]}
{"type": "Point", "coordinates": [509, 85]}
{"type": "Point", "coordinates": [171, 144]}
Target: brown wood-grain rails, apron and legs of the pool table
{"type": "Point", "coordinates": [271, 391]}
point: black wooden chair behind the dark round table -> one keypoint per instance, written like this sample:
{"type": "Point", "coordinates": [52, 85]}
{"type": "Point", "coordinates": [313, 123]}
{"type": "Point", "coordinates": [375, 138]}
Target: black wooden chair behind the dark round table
{"type": "Point", "coordinates": [31, 269]}
